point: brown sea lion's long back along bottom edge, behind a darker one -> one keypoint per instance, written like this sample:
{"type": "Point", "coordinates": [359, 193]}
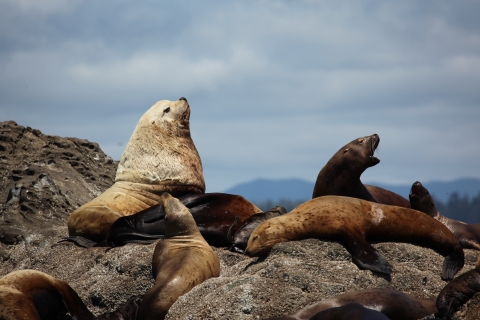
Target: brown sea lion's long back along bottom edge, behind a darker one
{"type": "Point", "coordinates": [392, 303]}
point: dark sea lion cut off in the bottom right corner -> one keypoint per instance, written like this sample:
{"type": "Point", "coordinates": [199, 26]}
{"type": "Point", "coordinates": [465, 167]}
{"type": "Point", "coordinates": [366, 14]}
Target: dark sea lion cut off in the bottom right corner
{"type": "Point", "coordinates": [458, 291]}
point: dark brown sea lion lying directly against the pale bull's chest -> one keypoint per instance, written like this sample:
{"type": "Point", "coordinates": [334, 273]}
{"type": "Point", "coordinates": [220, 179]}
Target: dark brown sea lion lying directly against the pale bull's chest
{"type": "Point", "coordinates": [214, 214]}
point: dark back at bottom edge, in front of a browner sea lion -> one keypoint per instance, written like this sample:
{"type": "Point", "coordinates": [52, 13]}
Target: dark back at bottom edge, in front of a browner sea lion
{"type": "Point", "coordinates": [350, 311]}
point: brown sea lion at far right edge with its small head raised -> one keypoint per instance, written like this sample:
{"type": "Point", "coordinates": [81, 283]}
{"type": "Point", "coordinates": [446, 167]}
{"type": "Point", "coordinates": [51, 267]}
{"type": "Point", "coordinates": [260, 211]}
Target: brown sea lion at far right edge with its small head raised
{"type": "Point", "coordinates": [467, 234]}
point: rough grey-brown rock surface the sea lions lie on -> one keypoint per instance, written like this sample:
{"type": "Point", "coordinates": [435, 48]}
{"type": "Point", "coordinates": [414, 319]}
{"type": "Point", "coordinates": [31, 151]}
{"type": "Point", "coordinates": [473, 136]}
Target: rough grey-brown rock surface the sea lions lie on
{"type": "Point", "coordinates": [44, 178]}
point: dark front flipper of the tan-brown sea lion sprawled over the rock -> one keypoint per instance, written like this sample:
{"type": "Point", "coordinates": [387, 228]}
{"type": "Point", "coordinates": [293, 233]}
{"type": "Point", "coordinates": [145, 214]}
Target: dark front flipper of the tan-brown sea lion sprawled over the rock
{"type": "Point", "coordinates": [363, 254]}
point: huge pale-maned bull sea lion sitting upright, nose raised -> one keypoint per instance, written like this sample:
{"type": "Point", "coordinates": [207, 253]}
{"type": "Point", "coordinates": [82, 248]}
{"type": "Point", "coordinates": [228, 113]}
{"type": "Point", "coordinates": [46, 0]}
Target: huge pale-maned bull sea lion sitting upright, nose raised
{"type": "Point", "coordinates": [160, 157]}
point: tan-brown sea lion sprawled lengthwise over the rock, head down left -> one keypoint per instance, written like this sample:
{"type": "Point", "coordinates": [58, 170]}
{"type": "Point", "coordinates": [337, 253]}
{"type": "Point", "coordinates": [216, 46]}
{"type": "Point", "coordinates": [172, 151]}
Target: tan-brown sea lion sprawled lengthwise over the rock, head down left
{"type": "Point", "coordinates": [352, 222]}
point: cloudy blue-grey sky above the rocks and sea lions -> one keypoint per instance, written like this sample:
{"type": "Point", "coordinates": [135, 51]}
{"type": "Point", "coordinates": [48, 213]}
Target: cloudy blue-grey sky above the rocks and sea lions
{"type": "Point", "coordinates": [275, 87]}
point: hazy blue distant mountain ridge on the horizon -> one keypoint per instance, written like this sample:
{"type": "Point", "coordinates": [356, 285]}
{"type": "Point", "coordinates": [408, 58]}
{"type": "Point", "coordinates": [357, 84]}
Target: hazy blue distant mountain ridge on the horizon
{"type": "Point", "coordinates": [260, 190]}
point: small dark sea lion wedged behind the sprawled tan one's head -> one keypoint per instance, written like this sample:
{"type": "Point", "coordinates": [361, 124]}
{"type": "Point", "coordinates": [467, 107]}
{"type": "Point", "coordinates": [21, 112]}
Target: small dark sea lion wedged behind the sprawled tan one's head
{"type": "Point", "coordinates": [239, 239]}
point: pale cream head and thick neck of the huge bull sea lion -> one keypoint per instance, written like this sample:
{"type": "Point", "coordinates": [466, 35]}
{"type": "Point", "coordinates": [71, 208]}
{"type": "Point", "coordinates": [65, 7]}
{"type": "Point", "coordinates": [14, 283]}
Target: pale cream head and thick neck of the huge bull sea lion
{"type": "Point", "coordinates": [161, 150]}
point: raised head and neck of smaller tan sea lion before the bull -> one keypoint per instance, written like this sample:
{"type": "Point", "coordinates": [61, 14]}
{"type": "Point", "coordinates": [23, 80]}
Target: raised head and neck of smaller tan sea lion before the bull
{"type": "Point", "coordinates": [178, 219]}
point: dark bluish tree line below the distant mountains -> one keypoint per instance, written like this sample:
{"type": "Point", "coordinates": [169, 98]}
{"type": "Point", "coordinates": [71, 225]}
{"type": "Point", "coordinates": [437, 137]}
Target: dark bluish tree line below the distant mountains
{"type": "Point", "coordinates": [460, 208]}
